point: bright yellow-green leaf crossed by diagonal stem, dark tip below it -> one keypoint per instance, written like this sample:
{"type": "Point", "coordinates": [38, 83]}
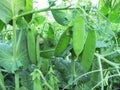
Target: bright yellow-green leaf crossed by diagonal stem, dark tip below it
{"type": "Point", "coordinates": [29, 7]}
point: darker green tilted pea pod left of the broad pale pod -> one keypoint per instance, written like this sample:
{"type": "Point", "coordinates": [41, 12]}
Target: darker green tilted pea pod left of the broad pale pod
{"type": "Point", "coordinates": [63, 42]}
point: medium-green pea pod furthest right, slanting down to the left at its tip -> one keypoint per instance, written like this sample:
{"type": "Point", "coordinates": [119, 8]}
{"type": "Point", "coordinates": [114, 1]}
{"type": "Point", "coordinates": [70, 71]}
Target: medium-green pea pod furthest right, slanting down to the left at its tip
{"type": "Point", "coordinates": [89, 50]}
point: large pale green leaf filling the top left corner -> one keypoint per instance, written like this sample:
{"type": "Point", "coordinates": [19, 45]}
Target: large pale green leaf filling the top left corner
{"type": "Point", "coordinates": [6, 9]}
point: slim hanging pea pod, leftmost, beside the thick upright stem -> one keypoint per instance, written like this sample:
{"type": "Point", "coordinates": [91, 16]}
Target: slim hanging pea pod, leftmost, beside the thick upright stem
{"type": "Point", "coordinates": [31, 46]}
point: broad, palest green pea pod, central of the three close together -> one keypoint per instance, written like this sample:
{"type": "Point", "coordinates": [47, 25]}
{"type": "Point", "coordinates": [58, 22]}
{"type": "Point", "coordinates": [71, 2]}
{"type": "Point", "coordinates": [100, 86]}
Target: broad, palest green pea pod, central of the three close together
{"type": "Point", "coordinates": [78, 34]}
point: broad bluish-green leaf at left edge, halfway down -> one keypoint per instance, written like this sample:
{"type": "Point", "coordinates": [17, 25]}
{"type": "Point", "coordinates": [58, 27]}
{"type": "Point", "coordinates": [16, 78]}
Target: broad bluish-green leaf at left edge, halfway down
{"type": "Point", "coordinates": [6, 58]}
